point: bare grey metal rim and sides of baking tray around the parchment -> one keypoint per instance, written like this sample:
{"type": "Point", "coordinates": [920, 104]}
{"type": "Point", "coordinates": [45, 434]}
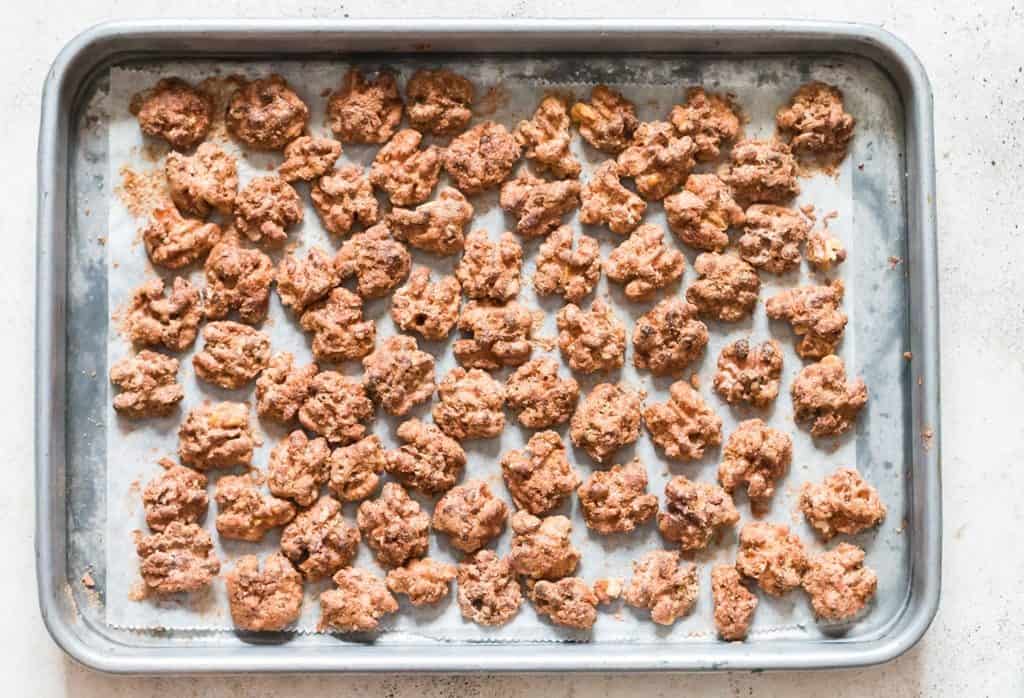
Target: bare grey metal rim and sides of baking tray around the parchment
{"type": "Point", "coordinates": [73, 316]}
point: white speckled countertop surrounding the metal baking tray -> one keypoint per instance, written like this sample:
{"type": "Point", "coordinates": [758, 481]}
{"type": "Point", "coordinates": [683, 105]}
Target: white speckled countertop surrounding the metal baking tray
{"type": "Point", "coordinates": [975, 58]}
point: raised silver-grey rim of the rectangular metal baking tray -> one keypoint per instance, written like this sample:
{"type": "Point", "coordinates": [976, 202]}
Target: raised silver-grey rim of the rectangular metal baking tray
{"type": "Point", "coordinates": [100, 46]}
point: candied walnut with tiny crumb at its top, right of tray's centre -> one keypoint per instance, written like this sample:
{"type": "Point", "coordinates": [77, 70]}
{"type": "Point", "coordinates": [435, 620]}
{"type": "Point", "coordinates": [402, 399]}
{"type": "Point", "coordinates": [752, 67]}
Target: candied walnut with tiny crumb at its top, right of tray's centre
{"type": "Point", "coordinates": [685, 426]}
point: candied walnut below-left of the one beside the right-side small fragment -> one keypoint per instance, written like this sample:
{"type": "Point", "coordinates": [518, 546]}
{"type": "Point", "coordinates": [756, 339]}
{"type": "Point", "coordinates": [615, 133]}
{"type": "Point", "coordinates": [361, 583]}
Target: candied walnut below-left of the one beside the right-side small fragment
{"type": "Point", "coordinates": [728, 288]}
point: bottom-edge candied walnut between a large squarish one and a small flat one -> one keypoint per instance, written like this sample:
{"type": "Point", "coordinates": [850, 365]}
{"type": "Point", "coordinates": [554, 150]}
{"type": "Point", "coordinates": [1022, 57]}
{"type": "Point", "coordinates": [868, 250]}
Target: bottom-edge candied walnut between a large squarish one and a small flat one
{"type": "Point", "coordinates": [358, 604]}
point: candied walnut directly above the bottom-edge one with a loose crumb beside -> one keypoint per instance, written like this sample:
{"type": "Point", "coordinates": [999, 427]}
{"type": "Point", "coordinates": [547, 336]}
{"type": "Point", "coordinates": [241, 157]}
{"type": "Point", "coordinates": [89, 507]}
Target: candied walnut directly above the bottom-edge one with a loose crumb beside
{"type": "Point", "coordinates": [541, 548]}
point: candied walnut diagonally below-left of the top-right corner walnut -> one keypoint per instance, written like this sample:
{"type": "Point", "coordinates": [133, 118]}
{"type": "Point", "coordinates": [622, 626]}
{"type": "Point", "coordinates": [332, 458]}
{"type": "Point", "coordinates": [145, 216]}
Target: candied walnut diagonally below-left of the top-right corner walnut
{"type": "Point", "coordinates": [763, 171]}
